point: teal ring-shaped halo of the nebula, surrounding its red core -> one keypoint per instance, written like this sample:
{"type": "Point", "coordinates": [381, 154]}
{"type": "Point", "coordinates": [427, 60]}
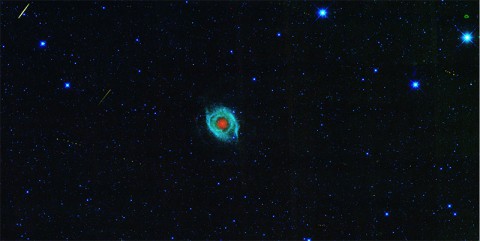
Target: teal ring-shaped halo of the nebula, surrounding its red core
{"type": "Point", "coordinates": [230, 132]}
